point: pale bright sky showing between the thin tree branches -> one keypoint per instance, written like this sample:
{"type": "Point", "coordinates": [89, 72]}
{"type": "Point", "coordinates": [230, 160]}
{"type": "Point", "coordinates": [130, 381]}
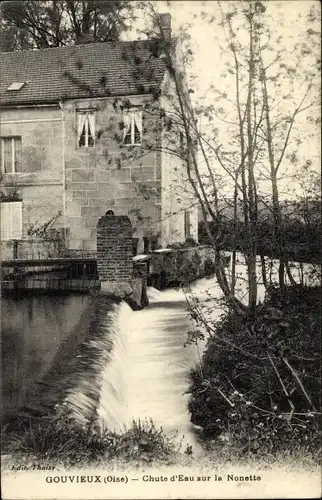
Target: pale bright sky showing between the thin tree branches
{"type": "Point", "coordinates": [209, 62]}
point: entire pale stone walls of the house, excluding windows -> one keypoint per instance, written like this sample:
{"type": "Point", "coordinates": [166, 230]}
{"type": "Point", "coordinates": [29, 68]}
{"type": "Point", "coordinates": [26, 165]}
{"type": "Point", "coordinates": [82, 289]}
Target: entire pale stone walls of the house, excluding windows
{"type": "Point", "coordinates": [83, 183]}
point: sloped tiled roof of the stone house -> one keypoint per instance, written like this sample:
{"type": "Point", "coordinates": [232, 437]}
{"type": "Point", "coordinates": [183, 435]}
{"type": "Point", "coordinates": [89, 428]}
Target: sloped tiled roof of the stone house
{"type": "Point", "coordinates": [91, 70]}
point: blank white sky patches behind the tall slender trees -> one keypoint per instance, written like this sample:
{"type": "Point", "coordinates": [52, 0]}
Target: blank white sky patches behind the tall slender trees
{"type": "Point", "coordinates": [208, 63]}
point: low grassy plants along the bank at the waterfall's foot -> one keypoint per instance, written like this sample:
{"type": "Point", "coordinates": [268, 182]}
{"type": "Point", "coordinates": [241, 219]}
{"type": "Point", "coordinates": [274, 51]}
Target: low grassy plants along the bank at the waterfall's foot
{"type": "Point", "coordinates": [61, 439]}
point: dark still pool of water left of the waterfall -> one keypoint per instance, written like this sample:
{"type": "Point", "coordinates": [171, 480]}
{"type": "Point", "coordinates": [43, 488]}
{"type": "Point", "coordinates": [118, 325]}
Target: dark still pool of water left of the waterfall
{"type": "Point", "coordinates": [32, 330]}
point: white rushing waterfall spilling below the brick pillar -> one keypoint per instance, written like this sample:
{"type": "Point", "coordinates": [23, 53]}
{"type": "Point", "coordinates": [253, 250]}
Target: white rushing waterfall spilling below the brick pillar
{"type": "Point", "coordinates": [139, 367]}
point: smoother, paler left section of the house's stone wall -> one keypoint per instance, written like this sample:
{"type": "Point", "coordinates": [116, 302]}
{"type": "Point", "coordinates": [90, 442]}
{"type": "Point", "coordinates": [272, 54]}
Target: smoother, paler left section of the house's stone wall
{"type": "Point", "coordinates": [40, 182]}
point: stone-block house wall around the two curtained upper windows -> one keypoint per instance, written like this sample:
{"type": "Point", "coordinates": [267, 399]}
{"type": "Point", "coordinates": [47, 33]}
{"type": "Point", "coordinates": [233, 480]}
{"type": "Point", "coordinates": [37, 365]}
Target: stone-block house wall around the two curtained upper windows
{"type": "Point", "coordinates": [111, 175]}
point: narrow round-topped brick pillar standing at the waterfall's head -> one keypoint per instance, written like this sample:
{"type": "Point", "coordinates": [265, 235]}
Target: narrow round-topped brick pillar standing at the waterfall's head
{"type": "Point", "coordinates": [114, 249]}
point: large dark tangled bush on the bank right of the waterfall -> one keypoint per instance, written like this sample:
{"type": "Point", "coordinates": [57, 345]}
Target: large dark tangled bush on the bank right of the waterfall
{"type": "Point", "coordinates": [258, 385]}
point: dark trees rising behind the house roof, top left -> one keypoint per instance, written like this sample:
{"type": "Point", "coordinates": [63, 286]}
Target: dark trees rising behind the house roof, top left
{"type": "Point", "coordinates": [31, 24]}
